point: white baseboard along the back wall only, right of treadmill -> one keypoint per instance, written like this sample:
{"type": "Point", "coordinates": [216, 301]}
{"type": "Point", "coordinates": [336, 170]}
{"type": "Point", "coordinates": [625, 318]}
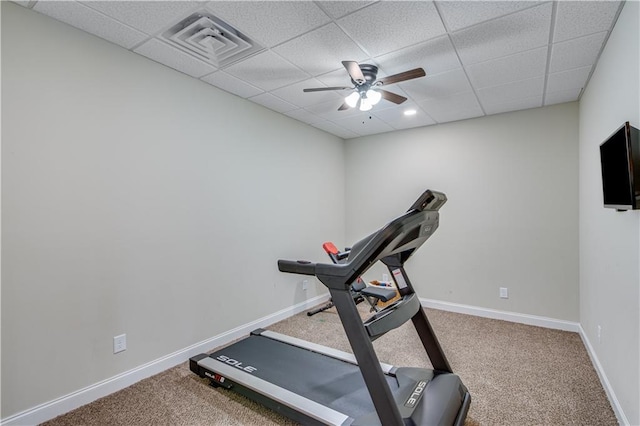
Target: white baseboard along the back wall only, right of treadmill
{"type": "Point", "coordinates": [538, 321]}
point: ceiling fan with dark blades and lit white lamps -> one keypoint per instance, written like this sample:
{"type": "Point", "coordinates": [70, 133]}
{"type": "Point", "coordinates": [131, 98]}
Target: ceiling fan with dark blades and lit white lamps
{"type": "Point", "coordinates": [367, 91]}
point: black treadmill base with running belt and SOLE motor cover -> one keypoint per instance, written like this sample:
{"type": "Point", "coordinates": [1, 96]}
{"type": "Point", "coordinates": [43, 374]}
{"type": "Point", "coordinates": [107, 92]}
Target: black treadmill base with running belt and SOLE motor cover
{"type": "Point", "coordinates": [333, 383]}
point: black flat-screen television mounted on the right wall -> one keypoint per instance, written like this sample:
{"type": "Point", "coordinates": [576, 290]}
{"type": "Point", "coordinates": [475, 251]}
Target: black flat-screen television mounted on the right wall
{"type": "Point", "coordinates": [620, 163]}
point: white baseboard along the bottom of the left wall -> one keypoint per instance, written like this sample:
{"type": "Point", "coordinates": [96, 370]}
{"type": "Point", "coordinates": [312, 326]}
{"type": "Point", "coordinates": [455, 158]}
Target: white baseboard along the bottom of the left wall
{"type": "Point", "coordinates": [64, 404]}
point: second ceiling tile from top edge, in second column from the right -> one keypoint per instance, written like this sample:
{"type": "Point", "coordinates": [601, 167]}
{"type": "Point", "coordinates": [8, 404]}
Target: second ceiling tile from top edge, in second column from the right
{"type": "Point", "coordinates": [504, 36]}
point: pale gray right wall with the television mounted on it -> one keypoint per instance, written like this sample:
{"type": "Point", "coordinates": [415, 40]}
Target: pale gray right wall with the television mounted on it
{"type": "Point", "coordinates": [610, 240]}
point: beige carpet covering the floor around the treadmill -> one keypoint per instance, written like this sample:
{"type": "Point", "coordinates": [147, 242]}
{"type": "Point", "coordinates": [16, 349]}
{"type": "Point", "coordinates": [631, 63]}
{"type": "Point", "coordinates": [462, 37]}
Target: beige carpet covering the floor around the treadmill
{"type": "Point", "coordinates": [516, 374]}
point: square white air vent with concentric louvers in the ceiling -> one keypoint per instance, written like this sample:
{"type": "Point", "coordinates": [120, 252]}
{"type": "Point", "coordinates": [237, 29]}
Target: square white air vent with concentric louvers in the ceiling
{"type": "Point", "coordinates": [210, 39]}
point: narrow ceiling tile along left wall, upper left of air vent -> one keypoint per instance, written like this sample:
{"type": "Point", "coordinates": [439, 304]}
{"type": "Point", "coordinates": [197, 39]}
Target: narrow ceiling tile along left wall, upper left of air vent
{"type": "Point", "coordinates": [91, 21]}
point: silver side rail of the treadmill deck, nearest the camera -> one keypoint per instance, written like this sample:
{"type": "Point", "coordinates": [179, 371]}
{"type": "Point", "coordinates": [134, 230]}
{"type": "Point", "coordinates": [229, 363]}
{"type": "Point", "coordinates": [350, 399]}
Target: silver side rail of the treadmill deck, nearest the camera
{"type": "Point", "coordinates": [283, 396]}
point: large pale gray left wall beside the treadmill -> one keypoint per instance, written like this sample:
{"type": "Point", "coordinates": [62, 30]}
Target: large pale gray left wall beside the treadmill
{"type": "Point", "coordinates": [138, 200]}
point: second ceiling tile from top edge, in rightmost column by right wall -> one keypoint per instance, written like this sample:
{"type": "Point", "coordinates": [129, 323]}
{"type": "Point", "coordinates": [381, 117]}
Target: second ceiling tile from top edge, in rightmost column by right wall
{"type": "Point", "coordinates": [576, 53]}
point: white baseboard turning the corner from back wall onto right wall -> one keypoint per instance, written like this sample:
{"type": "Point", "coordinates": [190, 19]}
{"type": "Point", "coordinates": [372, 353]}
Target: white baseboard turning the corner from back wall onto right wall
{"type": "Point", "coordinates": [540, 322]}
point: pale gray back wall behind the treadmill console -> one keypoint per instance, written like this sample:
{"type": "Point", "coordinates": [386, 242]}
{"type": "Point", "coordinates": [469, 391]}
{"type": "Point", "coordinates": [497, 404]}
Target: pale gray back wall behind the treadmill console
{"type": "Point", "coordinates": [511, 218]}
